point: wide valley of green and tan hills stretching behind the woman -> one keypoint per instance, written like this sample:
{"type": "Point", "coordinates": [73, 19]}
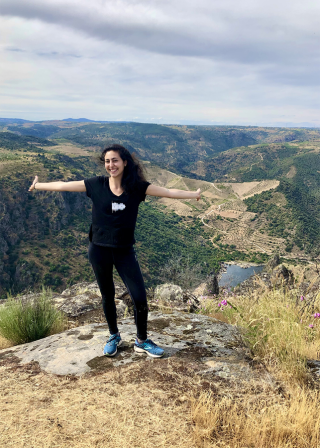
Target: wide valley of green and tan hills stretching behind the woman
{"type": "Point", "coordinates": [257, 199]}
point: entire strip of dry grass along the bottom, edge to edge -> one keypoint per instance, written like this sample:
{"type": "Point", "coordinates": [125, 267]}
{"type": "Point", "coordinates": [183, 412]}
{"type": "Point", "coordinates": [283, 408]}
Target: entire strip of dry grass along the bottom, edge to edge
{"type": "Point", "coordinates": [141, 407]}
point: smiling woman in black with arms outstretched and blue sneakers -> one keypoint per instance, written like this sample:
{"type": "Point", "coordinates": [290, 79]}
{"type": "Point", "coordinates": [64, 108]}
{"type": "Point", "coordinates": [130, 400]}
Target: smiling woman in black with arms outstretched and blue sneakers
{"type": "Point", "coordinates": [114, 213]}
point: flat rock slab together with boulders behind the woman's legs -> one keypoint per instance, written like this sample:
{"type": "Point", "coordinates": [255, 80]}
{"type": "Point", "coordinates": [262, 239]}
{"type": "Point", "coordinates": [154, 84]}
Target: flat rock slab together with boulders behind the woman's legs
{"type": "Point", "coordinates": [210, 347]}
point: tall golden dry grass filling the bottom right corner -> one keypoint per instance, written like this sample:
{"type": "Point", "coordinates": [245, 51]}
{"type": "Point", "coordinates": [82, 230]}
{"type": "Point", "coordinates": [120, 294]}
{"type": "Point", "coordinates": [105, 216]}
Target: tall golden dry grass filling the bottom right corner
{"type": "Point", "coordinates": [247, 424]}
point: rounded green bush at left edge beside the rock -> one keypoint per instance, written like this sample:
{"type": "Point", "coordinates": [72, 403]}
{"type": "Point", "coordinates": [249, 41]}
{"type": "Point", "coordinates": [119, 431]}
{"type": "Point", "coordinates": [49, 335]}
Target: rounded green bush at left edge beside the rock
{"type": "Point", "coordinates": [28, 320]}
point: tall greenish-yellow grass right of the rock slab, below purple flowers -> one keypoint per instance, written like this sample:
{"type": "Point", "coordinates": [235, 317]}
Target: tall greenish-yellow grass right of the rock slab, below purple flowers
{"type": "Point", "coordinates": [279, 328]}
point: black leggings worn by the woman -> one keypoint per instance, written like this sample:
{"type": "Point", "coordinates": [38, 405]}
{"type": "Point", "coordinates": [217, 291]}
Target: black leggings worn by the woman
{"type": "Point", "coordinates": [103, 259]}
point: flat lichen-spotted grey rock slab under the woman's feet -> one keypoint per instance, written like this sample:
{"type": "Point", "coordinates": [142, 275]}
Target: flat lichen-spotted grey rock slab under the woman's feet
{"type": "Point", "coordinates": [214, 347]}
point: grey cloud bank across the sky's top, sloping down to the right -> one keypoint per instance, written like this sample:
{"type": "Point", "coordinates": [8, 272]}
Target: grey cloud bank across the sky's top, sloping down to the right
{"type": "Point", "coordinates": [223, 30]}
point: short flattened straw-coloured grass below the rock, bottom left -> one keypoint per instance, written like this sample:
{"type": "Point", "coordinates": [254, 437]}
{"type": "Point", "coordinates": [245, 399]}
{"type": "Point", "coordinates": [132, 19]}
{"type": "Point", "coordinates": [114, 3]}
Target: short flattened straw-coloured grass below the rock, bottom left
{"type": "Point", "coordinates": [120, 408]}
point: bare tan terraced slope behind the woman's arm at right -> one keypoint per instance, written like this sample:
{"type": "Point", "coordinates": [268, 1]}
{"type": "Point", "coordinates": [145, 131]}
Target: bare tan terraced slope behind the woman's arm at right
{"type": "Point", "coordinates": [223, 211]}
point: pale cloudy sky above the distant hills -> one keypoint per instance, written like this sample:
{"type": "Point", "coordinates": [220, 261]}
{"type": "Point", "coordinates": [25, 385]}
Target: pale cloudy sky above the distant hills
{"type": "Point", "coordinates": [252, 62]}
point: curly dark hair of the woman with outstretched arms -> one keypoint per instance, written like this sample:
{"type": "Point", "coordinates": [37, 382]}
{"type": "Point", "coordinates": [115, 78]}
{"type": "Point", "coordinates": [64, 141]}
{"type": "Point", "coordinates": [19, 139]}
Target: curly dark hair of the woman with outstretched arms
{"type": "Point", "coordinates": [133, 173]}
